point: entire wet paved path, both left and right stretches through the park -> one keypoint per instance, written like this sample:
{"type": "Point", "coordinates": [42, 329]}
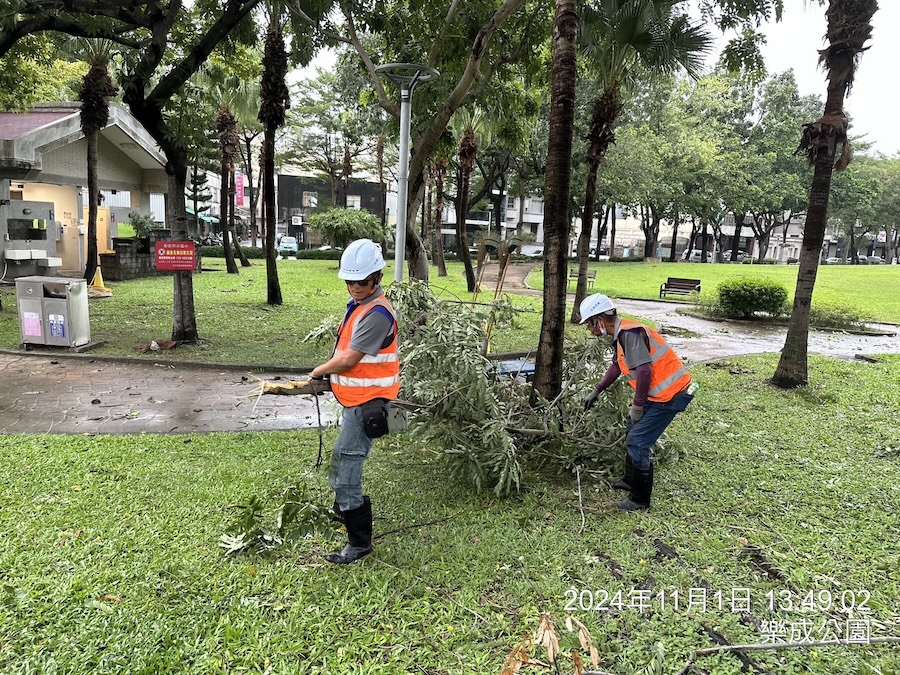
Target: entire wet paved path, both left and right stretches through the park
{"type": "Point", "coordinates": [70, 393]}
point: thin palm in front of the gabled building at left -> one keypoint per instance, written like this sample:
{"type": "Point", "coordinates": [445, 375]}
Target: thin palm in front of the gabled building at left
{"type": "Point", "coordinates": [97, 89]}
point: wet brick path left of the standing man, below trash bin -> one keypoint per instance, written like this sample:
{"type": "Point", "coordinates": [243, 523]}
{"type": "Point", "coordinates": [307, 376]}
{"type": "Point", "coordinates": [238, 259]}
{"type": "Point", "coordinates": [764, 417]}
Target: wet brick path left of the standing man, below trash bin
{"type": "Point", "coordinates": [84, 394]}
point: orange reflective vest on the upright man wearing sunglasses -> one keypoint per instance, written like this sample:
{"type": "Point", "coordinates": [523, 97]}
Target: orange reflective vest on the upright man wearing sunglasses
{"type": "Point", "coordinates": [375, 376]}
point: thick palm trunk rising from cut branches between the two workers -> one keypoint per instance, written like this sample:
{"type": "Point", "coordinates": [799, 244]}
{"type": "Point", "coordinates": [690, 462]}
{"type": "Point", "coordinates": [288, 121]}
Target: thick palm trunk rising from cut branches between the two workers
{"type": "Point", "coordinates": [548, 367]}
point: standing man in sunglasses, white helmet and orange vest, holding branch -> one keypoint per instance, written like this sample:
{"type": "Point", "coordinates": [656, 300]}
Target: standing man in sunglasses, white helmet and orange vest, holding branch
{"type": "Point", "coordinates": [365, 375]}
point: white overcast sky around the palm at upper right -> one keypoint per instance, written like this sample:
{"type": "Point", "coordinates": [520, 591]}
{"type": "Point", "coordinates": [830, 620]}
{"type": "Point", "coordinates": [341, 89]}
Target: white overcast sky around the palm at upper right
{"type": "Point", "coordinates": [794, 43]}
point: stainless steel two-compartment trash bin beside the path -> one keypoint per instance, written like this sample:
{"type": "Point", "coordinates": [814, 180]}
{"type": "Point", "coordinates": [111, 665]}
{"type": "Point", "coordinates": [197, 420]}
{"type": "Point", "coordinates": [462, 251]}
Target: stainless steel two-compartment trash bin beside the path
{"type": "Point", "coordinates": [53, 311]}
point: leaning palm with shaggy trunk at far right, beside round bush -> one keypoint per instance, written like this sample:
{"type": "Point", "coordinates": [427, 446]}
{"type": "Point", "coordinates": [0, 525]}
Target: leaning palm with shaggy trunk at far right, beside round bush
{"type": "Point", "coordinates": [827, 149]}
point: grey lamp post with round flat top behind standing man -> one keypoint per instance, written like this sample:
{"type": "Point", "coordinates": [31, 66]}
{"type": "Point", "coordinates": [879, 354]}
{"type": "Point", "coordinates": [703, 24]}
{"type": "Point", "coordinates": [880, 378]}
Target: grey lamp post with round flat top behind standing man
{"type": "Point", "coordinates": [406, 76]}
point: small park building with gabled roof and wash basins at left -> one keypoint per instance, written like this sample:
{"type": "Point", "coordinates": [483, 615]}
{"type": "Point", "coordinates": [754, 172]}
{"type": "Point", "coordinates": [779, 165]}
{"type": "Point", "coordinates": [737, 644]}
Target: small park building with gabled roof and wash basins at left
{"type": "Point", "coordinates": [43, 168]}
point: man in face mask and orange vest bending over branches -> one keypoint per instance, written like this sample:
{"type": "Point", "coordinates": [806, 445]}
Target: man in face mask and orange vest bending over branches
{"type": "Point", "coordinates": [662, 389]}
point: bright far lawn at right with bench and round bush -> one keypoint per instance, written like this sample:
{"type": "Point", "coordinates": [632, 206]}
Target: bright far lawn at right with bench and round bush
{"type": "Point", "coordinates": [872, 290]}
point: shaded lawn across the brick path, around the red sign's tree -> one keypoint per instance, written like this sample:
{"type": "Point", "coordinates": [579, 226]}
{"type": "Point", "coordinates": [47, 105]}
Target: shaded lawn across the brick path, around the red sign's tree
{"type": "Point", "coordinates": [234, 321]}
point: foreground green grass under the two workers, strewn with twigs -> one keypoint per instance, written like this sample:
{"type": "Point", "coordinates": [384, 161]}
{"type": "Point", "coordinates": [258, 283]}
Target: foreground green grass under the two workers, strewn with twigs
{"type": "Point", "coordinates": [109, 560]}
